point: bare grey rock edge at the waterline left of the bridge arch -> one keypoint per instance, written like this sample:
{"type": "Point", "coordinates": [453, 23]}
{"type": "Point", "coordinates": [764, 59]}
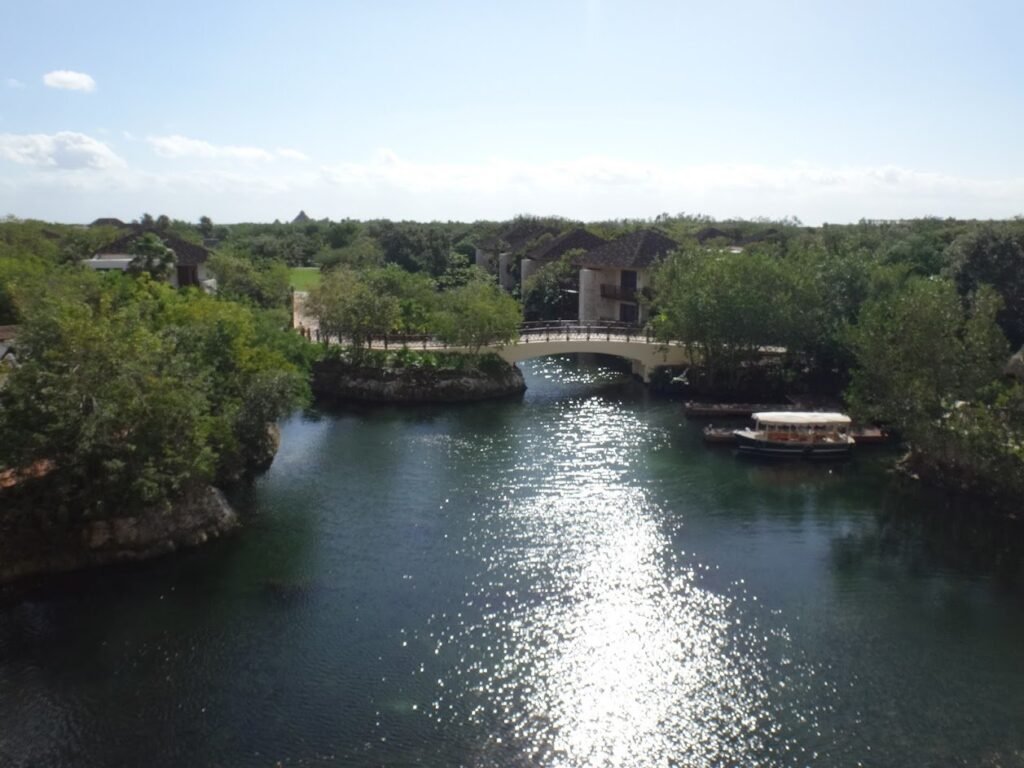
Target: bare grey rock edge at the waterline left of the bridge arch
{"type": "Point", "coordinates": [335, 380]}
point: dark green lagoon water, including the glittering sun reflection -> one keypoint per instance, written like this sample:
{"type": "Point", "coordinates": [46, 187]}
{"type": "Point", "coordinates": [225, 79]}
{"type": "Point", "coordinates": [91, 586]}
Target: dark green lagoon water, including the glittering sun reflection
{"type": "Point", "coordinates": [569, 580]}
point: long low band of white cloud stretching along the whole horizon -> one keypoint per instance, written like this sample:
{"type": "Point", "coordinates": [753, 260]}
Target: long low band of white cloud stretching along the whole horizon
{"type": "Point", "coordinates": [388, 186]}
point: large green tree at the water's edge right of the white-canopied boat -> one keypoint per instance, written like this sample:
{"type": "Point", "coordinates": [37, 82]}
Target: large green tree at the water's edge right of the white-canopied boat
{"type": "Point", "coordinates": [931, 367]}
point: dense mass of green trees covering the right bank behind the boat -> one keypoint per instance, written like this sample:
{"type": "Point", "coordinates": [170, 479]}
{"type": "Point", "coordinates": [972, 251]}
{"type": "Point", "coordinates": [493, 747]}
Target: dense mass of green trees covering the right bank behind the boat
{"type": "Point", "coordinates": [912, 324]}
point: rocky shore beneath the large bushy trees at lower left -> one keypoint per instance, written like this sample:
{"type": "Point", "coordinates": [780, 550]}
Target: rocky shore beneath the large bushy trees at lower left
{"type": "Point", "coordinates": [56, 548]}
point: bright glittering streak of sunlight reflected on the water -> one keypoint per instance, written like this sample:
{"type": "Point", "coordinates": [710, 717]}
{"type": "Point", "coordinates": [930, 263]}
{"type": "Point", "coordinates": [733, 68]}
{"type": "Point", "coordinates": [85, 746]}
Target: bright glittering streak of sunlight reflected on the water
{"type": "Point", "coordinates": [589, 642]}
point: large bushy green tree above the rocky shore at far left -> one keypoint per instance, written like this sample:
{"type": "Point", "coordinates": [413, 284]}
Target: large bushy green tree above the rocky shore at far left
{"type": "Point", "coordinates": [122, 419]}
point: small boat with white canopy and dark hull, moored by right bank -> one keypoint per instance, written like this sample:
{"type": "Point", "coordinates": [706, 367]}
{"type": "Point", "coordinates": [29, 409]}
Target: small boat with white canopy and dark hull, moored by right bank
{"type": "Point", "coordinates": [797, 435]}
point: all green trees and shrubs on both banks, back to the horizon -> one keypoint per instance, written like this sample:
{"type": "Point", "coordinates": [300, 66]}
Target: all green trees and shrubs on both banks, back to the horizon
{"type": "Point", "coordinates": [127, 393]}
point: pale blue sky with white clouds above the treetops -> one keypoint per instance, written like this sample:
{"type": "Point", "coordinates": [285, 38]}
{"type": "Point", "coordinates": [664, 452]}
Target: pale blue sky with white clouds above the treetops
{"type": "Point", "coordinates": [462, 111]}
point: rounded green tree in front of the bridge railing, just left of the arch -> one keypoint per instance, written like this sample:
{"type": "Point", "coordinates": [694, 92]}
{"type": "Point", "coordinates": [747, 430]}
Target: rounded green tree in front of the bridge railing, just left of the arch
{"type": "Point", "coordinates": [479, 315]}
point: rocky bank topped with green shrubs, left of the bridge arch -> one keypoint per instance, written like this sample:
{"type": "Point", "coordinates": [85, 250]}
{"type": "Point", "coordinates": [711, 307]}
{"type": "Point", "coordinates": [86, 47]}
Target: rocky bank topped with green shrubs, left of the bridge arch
{"type": "Point", "coordinates": [415, 377]}
